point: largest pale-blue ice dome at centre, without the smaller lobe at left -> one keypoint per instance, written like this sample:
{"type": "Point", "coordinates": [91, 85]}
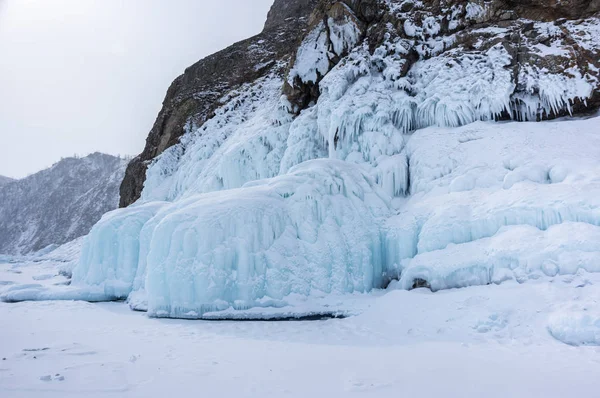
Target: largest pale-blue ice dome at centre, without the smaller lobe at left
{"type": "Point", "coordinates": [314, 230]}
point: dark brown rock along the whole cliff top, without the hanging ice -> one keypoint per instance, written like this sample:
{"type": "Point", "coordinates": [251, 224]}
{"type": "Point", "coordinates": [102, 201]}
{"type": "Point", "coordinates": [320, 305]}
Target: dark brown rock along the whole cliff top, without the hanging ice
{"type": "Point", "coordinates": [542, 38]}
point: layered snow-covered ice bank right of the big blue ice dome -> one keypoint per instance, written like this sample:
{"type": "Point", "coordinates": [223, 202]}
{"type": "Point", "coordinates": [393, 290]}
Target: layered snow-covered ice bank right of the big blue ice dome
{"type": "Point", "coordinates": [492, 202]}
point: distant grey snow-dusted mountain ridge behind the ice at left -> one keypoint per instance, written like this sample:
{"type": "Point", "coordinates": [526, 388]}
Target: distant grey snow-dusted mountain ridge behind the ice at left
{"type": "Point", "coordinates": [58, 204]}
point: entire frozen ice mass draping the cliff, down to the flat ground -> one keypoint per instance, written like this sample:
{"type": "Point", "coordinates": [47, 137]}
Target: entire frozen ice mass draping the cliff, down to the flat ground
{"type": "Point", "coordinates": [393, 173]}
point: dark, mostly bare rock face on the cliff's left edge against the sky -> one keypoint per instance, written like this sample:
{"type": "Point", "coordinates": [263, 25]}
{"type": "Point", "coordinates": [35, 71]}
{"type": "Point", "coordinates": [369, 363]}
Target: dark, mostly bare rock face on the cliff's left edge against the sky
{"type": "Point", "coordinates": [193, 96]}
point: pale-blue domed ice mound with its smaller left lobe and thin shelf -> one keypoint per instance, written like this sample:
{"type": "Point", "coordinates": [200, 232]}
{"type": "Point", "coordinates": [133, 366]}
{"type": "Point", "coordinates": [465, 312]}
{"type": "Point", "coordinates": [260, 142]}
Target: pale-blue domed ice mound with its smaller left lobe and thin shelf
{"type": "Point", "coordinates": [313, 231]}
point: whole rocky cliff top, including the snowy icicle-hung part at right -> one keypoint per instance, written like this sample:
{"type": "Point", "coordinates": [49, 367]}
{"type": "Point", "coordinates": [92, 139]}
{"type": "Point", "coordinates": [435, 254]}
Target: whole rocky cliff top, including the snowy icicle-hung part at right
{"type": "Point", "coordinates": [450, 62]}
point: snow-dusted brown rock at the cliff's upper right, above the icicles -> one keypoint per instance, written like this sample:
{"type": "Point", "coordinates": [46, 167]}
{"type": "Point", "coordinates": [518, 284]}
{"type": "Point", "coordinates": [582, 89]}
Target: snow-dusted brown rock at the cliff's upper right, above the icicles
{"type": "Point", "coordinates": [550, 48]}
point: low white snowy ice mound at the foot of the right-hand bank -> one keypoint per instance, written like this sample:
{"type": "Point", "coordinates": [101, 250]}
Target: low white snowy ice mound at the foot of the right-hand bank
{"type": "Point", "coordinates": [514, 253]}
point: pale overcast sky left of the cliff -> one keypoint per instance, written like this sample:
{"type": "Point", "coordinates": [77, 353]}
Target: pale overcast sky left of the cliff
{"type": "Point", "coordinates": [79, 76]}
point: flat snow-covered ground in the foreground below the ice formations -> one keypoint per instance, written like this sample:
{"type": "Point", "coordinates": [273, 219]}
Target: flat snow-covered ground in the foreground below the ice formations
{"type": "Point", "coordinates": [507, 340]}
